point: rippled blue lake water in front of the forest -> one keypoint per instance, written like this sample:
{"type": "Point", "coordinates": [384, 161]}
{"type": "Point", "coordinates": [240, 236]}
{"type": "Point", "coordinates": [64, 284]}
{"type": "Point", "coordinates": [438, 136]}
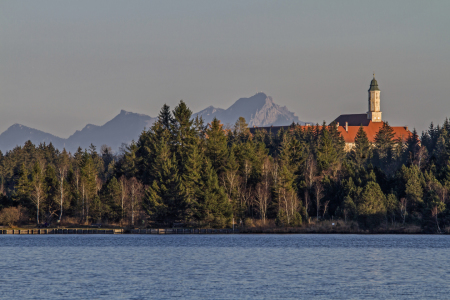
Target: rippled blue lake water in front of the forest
{"type": "Point", "coordinates": [224, 266]}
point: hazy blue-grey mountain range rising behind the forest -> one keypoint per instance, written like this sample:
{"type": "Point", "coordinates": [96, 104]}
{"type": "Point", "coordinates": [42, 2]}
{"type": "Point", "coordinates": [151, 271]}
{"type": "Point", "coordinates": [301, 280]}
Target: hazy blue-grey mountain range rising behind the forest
{"type": "Point", "coordinates": [259, 110]}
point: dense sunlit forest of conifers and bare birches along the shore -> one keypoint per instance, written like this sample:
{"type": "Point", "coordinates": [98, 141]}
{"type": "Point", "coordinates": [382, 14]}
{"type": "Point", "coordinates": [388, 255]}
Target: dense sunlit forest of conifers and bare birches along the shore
{"type": "Point", "coordinates": [186, 173]}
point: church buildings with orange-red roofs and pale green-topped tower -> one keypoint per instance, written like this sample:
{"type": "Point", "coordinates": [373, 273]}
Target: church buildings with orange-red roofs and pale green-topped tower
{"type": "Point", "coordinates": [349, 124]}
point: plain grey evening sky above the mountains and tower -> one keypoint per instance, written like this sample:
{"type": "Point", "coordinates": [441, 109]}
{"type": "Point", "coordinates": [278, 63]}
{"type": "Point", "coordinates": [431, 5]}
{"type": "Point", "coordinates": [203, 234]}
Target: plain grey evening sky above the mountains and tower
{"type": "Point", "coordinates": [64, 64]}
